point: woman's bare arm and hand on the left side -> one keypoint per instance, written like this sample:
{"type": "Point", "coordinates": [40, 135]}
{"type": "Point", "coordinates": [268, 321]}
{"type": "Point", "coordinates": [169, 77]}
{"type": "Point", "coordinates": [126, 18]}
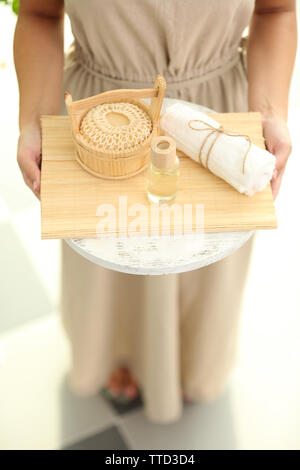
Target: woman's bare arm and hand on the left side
{"type": "Point", "coordinates": [39, 57]}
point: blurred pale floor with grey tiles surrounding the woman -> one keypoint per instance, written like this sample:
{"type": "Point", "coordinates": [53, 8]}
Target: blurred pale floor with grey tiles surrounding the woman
{"type": "Point", "coordinates": [260, 408]}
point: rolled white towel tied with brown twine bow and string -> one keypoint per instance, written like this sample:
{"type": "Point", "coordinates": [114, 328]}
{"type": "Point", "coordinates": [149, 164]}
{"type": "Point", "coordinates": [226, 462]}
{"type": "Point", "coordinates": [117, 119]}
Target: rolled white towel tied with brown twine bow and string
{"type": "Point", "coordinates": [247, 167]}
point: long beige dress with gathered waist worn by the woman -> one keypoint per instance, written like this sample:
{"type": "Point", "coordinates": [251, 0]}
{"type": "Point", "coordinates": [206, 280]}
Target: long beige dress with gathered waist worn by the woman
{"type": "Point", "coordinates": [177, 333]}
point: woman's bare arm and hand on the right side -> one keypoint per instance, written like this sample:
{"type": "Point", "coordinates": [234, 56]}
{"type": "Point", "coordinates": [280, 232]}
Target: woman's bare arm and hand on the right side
{"type": "Point", "coordinates": [271, 54]}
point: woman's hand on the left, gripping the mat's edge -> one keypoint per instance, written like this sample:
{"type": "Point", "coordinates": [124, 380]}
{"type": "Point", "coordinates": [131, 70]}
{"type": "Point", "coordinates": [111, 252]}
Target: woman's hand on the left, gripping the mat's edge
{"type": "Point", "coordinates": [29, 157]}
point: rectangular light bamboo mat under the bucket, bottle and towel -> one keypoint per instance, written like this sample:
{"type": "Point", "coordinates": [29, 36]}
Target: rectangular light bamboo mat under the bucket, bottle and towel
{"type": "Point", "coordinates": [70, 196]}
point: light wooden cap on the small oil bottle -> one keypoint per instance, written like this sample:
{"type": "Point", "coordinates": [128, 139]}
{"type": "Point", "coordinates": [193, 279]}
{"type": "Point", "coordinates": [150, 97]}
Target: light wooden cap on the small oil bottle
{"type": "Point", "coordinates": [163, 151]}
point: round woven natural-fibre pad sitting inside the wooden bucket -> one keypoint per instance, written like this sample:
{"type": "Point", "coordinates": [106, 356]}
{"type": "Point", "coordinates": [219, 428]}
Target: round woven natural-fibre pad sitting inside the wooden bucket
{"type": "Point", "coordinates": [116, 128]}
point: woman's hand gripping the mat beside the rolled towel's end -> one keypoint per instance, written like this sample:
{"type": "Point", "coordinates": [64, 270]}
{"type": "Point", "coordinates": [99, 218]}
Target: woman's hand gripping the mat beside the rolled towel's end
{"type": "Point", "coordinates": [278, 142]}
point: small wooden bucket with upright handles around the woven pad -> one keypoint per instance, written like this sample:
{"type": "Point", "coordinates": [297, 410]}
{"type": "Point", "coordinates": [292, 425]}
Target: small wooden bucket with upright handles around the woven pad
{"type": "Point", "coordinates": [116, 165]}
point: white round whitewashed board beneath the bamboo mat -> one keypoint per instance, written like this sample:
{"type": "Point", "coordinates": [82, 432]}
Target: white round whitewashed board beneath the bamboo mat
{"type": "Point", "coordinates": [163, 254]}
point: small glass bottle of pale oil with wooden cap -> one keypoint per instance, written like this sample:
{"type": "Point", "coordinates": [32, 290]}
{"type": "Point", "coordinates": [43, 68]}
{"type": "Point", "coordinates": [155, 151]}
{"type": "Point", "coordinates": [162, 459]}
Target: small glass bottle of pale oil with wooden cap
{"type": "Point", "coordinates": [163, 170]}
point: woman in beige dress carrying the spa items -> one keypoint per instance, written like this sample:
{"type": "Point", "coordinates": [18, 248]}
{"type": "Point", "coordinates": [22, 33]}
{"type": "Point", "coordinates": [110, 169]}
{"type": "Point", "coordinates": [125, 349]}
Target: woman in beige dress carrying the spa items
{"type": "Point", "coordinates": [172, 334]}
